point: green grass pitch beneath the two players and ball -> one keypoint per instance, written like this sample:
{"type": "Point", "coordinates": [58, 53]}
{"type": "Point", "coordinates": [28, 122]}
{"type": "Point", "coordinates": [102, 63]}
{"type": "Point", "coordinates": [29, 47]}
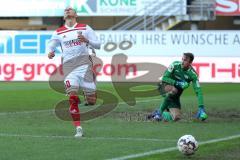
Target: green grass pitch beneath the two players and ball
{"type": "Point", "coordinates": [29, 128]}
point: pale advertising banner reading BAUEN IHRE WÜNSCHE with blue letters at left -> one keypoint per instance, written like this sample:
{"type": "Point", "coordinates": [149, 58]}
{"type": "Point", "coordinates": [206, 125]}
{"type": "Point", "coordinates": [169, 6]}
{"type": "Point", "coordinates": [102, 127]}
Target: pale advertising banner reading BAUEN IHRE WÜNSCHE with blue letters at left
{"type": "Point", "coordinates": [147, 43]}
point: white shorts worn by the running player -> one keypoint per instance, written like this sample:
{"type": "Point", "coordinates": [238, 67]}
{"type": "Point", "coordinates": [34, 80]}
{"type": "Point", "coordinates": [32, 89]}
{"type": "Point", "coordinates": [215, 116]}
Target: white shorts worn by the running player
{"type": "Point", "coordinates": [81, 77]}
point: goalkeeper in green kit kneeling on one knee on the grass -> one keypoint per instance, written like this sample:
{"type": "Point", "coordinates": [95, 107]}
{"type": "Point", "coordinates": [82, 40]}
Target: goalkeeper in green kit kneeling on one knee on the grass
{"type": "Point", "coordinates": [175, 80]}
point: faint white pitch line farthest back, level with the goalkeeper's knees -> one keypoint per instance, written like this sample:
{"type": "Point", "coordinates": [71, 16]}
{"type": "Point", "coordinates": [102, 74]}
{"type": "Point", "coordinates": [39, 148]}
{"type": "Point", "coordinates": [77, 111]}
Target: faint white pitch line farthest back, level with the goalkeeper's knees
{"type": "Point", "coordinates": [52, 110]}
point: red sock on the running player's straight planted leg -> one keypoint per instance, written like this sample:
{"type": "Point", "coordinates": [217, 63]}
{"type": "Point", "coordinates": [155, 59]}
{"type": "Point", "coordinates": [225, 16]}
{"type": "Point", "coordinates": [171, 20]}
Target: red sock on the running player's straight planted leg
{"type": "Point", "coordinates": [74, 110]}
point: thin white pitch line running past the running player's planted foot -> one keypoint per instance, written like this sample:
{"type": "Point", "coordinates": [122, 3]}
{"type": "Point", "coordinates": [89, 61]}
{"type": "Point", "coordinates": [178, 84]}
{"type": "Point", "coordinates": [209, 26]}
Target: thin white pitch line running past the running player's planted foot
{"type": "Point", "coordinates": [93, 138]}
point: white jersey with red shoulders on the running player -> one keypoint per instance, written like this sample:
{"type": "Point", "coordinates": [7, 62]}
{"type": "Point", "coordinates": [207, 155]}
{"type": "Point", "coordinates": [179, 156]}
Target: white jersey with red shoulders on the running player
{"type": "Point", "coordinates": [67, 38]}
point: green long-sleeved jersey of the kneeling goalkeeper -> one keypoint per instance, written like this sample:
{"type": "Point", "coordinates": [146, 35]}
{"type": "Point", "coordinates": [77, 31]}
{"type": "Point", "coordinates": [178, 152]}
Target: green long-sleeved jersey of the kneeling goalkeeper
{"type": "Point", "coordinates": [175, 73]}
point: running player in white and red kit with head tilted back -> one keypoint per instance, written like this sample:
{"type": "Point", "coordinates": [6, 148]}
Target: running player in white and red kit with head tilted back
{"type": "Point", "coordinates": [74, 39]}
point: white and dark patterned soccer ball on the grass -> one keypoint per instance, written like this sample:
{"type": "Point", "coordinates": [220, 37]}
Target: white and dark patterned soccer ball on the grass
{"type": "Point", "coordinates": [187, 145]}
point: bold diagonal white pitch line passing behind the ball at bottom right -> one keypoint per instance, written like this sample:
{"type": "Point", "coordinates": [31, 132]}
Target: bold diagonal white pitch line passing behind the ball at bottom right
{"type": "Point", "coordinates": [172, 148]}
